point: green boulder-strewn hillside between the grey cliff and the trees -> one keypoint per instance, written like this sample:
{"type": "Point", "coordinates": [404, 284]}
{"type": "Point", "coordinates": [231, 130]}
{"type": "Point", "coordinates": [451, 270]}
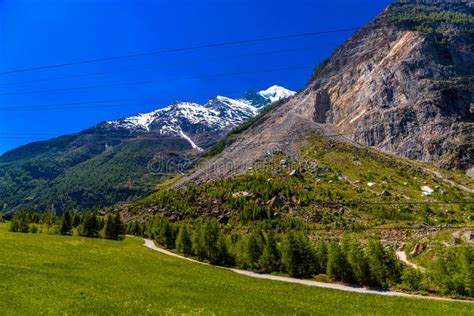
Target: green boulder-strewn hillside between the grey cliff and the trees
{"type": "Point", "coordinates": [333, 185]}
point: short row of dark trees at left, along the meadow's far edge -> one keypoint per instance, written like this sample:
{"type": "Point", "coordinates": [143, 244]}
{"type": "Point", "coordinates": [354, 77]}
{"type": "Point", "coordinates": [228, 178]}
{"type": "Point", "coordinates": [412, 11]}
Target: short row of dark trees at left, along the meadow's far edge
{"type": "Point", "coordinates": [85, 224]}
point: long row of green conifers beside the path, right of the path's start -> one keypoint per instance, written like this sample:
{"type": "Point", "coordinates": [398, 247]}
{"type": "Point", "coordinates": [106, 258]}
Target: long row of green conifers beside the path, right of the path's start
{"type": "Point", "coordinates": [266, 252]}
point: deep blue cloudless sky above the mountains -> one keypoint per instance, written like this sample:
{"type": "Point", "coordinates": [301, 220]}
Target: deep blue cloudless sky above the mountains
{"type": "Point", "coordinates": [43, 32]}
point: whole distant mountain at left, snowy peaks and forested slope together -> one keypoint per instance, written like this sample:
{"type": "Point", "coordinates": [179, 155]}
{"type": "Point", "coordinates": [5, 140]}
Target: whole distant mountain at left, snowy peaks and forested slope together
{"type": "Point", "coordinates": [119, 160]}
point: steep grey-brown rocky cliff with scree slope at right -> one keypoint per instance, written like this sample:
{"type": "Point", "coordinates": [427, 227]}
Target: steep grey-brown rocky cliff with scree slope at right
{"type": "Point", "coordinates": [402, 84]}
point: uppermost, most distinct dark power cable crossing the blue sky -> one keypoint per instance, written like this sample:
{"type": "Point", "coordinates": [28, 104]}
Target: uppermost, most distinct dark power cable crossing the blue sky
{"type": "Point", "coordinates": [182, 49]}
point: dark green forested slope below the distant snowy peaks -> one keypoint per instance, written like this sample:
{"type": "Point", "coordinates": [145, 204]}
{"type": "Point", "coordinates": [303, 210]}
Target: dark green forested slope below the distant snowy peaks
{"type": "Point", "coordinates": [77, 172]}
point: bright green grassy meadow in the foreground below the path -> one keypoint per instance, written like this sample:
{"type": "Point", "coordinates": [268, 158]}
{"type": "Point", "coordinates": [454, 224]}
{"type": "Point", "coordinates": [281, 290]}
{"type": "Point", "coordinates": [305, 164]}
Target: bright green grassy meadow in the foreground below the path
{"type": "Point", "coordinates": [42, 274]}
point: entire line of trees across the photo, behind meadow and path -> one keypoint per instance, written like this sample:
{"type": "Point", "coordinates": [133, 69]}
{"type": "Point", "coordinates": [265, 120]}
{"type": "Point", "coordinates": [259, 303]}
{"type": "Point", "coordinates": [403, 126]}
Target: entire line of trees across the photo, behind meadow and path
{"type": "Point", "coordinates": [263, 250]}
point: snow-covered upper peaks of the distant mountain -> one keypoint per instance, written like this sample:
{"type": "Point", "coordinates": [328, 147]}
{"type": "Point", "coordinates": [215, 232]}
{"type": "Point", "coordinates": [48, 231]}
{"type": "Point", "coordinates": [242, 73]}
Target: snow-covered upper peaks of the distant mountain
{"type": "Point", "coordinates": [194, 122]}
